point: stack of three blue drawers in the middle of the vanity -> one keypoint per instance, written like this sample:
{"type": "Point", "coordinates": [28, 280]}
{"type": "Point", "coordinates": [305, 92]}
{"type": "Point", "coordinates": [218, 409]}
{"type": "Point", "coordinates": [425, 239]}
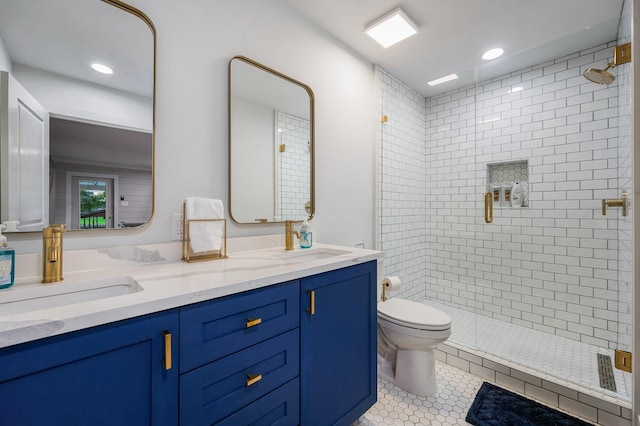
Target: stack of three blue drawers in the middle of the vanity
{"type": "Point", "coordinates": [240, 358]}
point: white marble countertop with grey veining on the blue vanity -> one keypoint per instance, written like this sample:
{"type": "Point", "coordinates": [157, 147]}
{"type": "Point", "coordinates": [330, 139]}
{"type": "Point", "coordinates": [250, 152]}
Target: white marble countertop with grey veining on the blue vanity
{"type": "Point", "coordinates": [166, 283]}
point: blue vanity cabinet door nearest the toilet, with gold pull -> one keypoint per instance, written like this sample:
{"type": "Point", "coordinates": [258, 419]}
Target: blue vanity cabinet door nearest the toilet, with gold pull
{"type": "Point", "coordinates": [338, 345]}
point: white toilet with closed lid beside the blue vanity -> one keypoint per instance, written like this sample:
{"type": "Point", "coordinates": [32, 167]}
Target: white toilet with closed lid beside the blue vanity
{"type": "Point", "coordinates": [407, 335]}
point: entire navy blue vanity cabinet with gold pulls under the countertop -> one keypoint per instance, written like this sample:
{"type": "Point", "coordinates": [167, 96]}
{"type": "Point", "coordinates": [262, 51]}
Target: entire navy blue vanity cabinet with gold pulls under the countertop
{"type": "Point", "coordinates": [256, 357]}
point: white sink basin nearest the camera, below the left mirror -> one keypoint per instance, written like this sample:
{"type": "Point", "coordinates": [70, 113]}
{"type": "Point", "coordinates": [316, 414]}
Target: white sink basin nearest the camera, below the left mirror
{"type": "Point", "coordinates": [17, 299]}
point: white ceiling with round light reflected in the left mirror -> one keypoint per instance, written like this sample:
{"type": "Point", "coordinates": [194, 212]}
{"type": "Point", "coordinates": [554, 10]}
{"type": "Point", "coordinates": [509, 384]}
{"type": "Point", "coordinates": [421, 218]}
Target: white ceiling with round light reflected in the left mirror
{"type": "Point", "coordinates": [48, 35]}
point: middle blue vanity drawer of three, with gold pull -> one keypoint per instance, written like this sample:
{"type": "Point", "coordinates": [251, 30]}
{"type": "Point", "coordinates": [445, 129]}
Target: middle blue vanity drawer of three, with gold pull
{"type": "Point", "coordinates": [210, 393]}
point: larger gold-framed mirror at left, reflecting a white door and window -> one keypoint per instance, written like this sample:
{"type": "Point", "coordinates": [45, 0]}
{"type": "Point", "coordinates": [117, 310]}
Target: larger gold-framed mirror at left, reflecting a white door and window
{"type": "Point", "coordinates": [76, 145]}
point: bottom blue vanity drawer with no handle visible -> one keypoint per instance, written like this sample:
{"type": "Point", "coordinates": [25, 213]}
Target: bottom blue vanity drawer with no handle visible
{"type": "Point", "coordinates": [280, 407]}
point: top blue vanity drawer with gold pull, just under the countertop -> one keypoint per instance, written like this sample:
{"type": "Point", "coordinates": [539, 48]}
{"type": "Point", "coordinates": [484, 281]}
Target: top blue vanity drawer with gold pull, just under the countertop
{"type": "Point", "coordinates": [212, 330]}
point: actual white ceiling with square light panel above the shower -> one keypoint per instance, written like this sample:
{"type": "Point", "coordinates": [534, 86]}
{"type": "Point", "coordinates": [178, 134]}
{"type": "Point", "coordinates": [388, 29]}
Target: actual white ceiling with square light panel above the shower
{"type": "Point", "coordinates": [453, 34]}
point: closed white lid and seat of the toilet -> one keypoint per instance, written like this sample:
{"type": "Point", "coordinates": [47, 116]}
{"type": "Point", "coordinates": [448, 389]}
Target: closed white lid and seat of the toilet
{"type": "Point", "coordinates": [413, 314]}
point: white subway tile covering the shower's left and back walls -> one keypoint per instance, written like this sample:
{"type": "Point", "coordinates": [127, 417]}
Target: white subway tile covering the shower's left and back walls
{"type": "Point", "coordinates": [552, 266]}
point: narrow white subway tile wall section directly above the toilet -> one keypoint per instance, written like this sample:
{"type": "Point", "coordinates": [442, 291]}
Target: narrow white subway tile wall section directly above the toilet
{"type": "Point", "coordinates": [403, 215]}
